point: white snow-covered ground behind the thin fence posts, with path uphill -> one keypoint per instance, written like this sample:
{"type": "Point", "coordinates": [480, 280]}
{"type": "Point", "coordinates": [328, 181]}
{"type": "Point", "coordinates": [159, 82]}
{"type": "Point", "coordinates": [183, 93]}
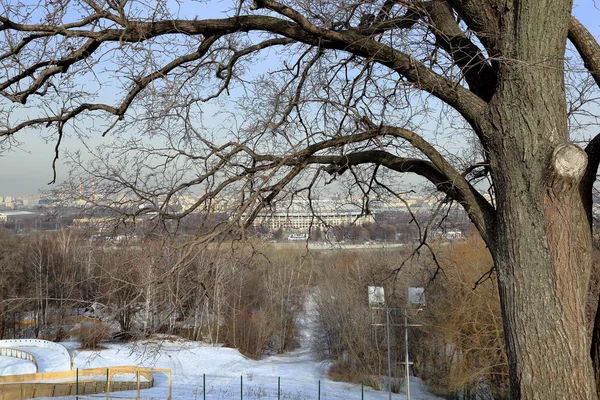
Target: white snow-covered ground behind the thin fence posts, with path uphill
{"type": "Point", "coordinates": [228, 373]}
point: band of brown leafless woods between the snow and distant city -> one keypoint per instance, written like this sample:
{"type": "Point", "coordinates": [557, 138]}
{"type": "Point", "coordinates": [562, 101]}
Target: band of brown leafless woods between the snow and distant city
{"type": "Point", "coordinates": [61, 286]}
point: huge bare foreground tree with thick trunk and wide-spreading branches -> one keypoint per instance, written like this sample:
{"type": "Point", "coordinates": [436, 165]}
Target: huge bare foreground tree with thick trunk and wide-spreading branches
{"type": "Point", "coordinates": [350, 94]}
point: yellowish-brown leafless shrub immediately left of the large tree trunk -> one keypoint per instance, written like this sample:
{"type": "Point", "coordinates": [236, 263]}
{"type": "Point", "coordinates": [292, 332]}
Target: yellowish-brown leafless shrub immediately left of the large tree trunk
{"type": "Point", "coordinates": [460, 345]}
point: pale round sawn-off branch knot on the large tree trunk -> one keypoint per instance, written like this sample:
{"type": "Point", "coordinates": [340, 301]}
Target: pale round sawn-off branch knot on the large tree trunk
{"type": "Point", "coordinates": [567, 167]}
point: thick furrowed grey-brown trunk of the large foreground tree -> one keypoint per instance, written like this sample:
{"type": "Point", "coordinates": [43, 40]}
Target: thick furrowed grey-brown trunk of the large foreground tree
{"type": "Point", "coordinates": [542, 247]}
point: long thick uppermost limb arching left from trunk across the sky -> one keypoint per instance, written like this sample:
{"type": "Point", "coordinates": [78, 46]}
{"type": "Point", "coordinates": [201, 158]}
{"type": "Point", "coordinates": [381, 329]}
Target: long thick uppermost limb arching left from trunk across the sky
{"type": "Point", "coordinates": [471, 106]}
